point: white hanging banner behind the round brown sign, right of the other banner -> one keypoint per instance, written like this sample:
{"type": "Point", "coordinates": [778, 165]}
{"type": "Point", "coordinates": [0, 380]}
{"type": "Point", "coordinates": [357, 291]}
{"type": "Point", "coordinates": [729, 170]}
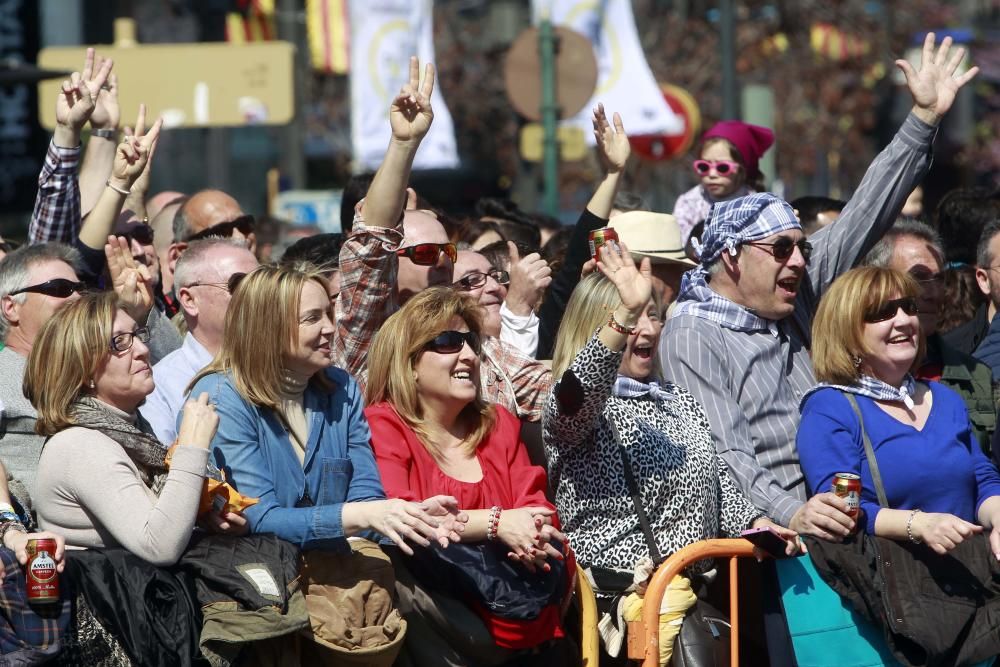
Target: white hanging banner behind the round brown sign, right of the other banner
{"type": "Point", "coordinates": [624, 81]}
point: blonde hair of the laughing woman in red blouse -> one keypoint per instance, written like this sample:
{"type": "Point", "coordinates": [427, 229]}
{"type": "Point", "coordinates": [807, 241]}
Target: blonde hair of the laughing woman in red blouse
{"type": "Point", "coordinates": [397, 349]}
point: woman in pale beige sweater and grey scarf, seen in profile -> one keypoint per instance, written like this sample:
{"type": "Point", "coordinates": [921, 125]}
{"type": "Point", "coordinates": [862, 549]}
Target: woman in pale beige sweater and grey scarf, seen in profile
{"type": "Point", "coordinates": [102, 481]}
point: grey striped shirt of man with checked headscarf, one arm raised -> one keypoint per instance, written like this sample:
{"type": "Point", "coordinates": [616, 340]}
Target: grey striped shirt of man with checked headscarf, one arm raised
{"type": "Point", "coordinates": [751, 383]}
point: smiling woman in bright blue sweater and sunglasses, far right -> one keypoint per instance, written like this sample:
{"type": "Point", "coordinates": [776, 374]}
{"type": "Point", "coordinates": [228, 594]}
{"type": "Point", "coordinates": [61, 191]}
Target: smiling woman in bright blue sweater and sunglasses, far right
{"type": "Point", "coordinates": [941, 489]}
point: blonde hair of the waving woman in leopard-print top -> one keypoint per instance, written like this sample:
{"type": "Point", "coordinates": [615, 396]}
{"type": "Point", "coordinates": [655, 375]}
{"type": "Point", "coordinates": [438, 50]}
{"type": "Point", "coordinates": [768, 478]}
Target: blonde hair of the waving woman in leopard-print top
{"type": "Point", "coordinates": [589, 308]}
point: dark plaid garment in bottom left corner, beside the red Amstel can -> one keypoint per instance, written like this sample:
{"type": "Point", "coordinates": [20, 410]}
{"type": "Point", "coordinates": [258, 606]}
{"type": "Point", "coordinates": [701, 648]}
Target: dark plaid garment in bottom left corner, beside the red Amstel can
{"type": "Point", "coordinates": [24, 633]}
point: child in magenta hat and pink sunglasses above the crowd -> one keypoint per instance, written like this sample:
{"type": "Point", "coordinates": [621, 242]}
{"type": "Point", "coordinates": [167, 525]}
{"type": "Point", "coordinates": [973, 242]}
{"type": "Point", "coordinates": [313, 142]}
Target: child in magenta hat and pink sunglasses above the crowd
{"type": "Point", "coordinates": [727, 168]}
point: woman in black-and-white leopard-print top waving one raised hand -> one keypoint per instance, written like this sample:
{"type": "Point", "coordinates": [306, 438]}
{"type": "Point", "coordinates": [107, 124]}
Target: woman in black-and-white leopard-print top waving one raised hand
{"type": "Point", "coordinates": [606, 361]}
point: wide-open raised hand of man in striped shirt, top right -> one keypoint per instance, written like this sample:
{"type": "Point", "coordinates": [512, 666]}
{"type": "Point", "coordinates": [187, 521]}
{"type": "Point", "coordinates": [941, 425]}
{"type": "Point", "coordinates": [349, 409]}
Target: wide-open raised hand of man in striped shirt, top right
{"type": "Point", "coordinates": [935, 85]}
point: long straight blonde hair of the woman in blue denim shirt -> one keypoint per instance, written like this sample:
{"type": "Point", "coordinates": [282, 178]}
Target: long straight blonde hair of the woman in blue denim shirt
{"type": "Point", "coordinates": [266, 300]}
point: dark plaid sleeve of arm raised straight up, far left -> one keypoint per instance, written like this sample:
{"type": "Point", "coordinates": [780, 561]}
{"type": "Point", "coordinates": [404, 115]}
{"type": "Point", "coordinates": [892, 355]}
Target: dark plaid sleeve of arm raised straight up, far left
{"type": "Point", "coordinates": [57, 206]}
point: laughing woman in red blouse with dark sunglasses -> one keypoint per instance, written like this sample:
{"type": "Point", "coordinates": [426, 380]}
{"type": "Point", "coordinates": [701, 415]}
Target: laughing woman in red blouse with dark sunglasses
{"type": "Point", "coordinates": [433, 433]}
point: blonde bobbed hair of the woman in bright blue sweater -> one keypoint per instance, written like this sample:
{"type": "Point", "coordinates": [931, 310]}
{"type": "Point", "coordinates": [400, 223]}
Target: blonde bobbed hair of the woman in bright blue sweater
{"type": "Point", "coordinates": [839, 326]}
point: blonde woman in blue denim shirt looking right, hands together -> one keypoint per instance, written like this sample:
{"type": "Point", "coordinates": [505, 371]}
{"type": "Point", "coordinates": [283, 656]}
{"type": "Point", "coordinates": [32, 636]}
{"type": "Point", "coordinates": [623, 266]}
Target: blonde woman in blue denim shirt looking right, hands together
{"type": "Point", "coordinates": [292, 431]}
